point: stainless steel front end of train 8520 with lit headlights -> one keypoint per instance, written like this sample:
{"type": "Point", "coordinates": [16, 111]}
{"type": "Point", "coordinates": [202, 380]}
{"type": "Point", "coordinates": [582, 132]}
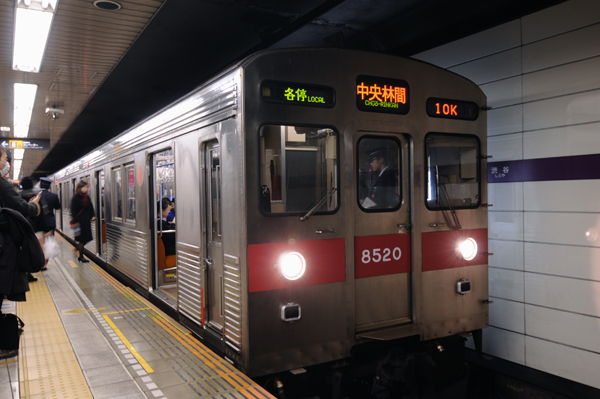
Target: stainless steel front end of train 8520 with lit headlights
{"type": "Point", "coordinates": [365, 197]}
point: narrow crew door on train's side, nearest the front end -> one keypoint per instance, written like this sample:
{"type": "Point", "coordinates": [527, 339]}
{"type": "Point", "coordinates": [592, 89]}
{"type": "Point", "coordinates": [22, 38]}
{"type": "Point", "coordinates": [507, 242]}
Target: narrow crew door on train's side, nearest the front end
{"type": "Point", "coordinates": [214, 250]}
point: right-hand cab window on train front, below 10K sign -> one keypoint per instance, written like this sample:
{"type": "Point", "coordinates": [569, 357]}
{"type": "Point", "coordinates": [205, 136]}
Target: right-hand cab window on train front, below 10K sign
{"type": "Point", "coordinates": [452, 177]}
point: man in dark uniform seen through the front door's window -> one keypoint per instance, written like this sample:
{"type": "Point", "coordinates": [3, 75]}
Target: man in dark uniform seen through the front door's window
{"type": "Point", "coordinates": [385, 190]}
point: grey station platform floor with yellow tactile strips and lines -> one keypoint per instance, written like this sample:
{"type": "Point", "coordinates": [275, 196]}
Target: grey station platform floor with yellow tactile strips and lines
{"type": "Point", "coordinates": [88, 336]}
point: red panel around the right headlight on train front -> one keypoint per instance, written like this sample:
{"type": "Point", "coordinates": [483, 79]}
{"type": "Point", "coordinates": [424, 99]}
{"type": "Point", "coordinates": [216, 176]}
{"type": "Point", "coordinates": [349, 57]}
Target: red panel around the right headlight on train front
{"type": "Point", "coordinates": [439, 249]}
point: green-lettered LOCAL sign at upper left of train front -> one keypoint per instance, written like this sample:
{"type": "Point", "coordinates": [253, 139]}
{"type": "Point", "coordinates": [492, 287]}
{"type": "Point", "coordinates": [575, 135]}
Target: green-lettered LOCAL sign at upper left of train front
{"type": "Point", "coordinates": [297, 94]}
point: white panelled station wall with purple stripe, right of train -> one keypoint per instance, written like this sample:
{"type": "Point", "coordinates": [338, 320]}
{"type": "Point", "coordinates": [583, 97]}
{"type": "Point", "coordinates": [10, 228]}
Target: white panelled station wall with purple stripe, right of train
{"type": "Point", "coordinates": [541, 74]}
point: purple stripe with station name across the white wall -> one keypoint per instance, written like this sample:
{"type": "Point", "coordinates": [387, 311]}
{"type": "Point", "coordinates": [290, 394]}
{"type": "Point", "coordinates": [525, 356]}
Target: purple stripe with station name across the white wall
{"type": "Point", "coordinates": [580, 167]}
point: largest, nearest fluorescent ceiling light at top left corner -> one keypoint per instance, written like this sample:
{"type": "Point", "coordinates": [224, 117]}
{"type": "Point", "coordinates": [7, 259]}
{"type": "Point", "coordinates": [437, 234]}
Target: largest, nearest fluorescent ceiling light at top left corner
{"type": "Point", "coordinates": [33, 19]}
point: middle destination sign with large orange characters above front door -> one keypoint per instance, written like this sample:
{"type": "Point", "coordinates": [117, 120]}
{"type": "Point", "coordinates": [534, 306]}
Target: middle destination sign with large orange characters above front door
{"type": "Point", "coordinates": [375, 94]}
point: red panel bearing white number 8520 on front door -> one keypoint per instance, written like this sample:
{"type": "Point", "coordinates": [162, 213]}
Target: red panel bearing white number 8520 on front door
{"type": "Point", "coordinates": [381, 255]}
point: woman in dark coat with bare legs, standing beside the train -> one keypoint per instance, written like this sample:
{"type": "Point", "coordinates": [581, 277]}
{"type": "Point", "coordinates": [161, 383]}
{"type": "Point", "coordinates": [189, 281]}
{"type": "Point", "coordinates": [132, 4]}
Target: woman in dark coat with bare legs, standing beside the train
{"type": "Point", "coordinates": [82, 211]}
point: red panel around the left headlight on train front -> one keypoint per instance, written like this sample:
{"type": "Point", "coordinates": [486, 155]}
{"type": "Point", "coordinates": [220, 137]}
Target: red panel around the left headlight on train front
{"type": "Point", "coordinates": [325, 263]}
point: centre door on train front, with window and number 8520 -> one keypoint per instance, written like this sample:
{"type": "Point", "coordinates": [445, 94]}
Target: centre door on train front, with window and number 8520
{"type": "Point", "coordinates": [382, 258]}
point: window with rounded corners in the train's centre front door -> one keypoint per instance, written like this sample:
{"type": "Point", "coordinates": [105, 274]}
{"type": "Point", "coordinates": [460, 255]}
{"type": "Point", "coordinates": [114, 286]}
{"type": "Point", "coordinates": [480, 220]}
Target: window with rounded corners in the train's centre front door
{"type": "Point", "coordinates": [378, 174]}
